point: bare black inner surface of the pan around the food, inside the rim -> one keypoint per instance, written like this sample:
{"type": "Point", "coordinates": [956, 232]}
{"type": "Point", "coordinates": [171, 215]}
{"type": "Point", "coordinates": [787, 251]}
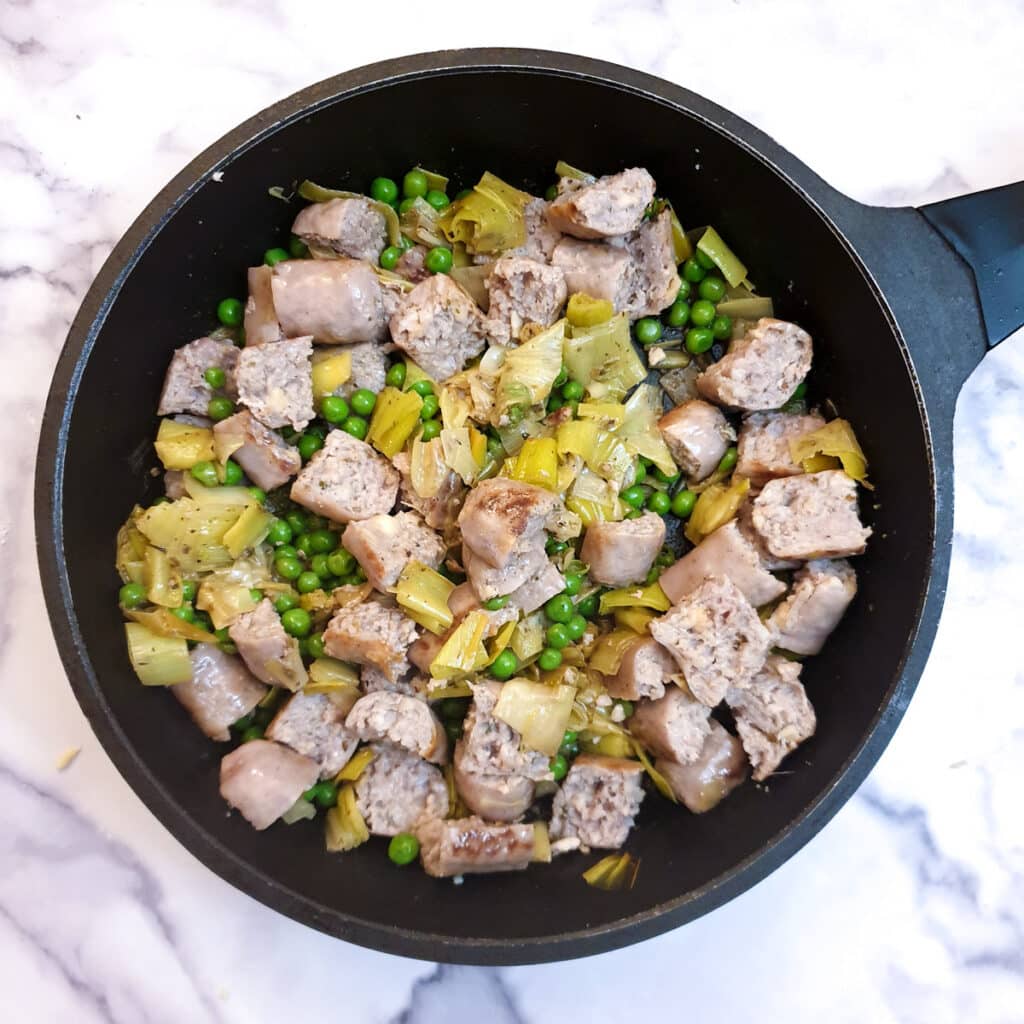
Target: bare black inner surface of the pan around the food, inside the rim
{"type": "Point", "coordinates": [517, 125]}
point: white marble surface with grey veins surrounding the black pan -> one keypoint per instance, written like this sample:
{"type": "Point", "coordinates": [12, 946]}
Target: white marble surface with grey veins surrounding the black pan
{"type": "Point", "coordinates": [910, 907]}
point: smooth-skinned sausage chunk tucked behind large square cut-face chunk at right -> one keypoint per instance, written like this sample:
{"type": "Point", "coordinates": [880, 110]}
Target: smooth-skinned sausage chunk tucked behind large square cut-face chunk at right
{"type": "Point", "coordinates": [726, 553]}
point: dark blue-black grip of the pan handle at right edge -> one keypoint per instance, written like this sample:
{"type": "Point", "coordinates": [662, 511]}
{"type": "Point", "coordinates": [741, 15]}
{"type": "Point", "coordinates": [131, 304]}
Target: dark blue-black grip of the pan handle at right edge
{"type": "Point", "coordinates": [987, 230]}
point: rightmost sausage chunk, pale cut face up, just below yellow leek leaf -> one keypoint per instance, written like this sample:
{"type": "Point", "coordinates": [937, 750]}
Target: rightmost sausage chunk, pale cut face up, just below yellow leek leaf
{"type": "Point", "coordinates": [810, 517]}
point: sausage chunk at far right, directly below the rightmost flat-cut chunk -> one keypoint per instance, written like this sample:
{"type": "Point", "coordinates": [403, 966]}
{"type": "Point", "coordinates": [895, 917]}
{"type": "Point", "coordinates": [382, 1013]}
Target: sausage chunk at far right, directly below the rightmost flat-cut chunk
{"type": "Point", "coordinates": [822, 593]}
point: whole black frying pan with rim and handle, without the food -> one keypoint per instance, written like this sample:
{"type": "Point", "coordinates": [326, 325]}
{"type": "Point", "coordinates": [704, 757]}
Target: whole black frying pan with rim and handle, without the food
{"type": "Point", "coordinates": [903, 305]}
